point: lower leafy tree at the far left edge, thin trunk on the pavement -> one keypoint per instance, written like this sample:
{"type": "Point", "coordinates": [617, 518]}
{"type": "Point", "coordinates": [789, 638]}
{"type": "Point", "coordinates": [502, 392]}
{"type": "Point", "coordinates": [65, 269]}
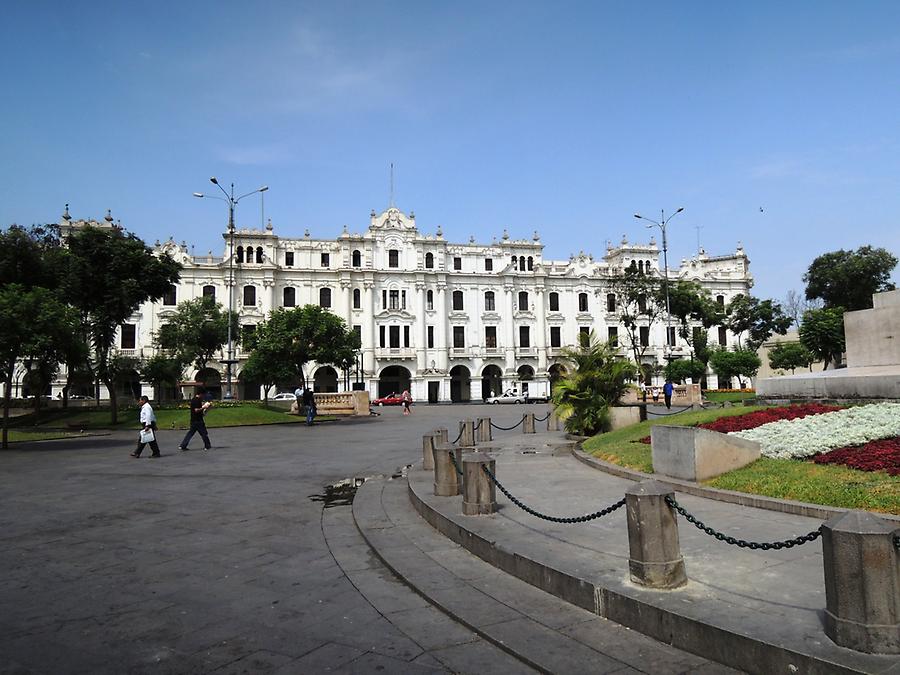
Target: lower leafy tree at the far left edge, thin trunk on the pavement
{"type": "Point", "coordinates": [40, 338]}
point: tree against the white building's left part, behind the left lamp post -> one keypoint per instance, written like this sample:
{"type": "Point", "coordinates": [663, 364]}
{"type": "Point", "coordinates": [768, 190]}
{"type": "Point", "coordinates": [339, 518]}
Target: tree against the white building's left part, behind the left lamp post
{"type": "Point", "coordinates": [197, 330]}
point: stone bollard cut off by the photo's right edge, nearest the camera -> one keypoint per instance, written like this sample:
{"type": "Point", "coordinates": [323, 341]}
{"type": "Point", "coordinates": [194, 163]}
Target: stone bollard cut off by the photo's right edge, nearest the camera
{"type": "Point", "coordinates": [862, 583]}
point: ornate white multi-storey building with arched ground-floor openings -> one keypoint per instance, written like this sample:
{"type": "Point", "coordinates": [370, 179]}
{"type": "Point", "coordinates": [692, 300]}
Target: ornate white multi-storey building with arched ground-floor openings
{"type": "Point", "coordinates": [449, 322]}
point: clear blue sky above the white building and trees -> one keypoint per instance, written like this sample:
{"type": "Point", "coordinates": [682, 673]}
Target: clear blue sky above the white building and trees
{"type": "Point", "coordinates": [773, 124]}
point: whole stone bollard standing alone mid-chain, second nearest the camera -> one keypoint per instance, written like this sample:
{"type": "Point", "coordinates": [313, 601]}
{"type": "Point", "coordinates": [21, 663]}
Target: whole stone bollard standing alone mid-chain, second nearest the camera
{"type": "Point", "coordinates": [654, 551]}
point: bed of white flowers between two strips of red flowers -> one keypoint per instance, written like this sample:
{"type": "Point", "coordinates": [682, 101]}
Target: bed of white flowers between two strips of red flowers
{"type": "Point", "coordinates": [796, 439]}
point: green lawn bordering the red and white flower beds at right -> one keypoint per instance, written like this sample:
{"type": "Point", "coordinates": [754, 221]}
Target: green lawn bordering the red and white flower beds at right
{"type": "Point", "coordinates": [826, 484]}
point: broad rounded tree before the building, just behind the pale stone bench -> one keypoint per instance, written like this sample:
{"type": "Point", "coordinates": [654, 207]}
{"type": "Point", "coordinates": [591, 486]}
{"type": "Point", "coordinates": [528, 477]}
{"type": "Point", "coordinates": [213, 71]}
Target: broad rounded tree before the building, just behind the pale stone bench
{"type": "Point", "coordinates": [291, 338]}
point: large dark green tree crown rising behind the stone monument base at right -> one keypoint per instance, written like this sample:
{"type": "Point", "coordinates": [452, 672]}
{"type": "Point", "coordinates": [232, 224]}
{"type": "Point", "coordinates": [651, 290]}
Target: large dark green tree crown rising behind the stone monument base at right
{"type": "Point", "coordinates": [848, 279]}
